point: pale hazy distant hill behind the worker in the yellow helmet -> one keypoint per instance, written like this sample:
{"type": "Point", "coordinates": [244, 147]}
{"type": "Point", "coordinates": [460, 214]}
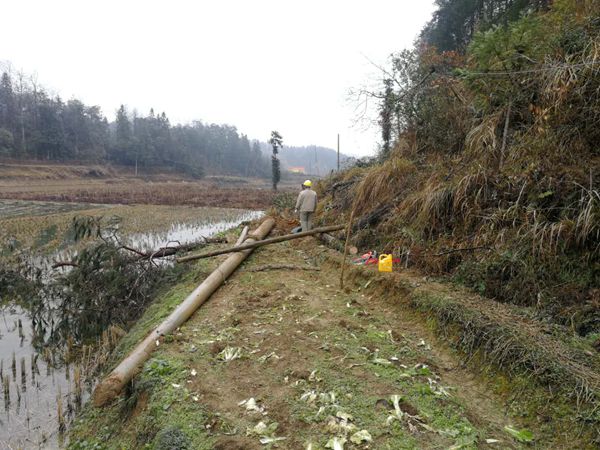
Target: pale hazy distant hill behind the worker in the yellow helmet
{"type": "Point", "coordinates": [311, 159]}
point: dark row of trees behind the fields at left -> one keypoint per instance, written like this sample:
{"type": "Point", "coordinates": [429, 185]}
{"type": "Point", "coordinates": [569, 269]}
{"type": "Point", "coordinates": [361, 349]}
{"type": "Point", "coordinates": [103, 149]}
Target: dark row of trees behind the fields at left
{"type": "Point", "coordinates": [40, 126]}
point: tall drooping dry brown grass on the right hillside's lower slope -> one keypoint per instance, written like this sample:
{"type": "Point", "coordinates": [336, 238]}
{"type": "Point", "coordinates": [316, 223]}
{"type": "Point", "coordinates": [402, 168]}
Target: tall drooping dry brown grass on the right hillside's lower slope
{"type": "Point", "coordinates": [533, 226]}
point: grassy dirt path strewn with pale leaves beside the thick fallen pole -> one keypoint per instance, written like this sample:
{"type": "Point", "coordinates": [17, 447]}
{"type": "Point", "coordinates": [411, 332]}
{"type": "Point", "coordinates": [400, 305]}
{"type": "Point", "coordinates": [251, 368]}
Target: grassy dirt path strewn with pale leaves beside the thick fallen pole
{"type": "Point", "coordinates": [320, 365]}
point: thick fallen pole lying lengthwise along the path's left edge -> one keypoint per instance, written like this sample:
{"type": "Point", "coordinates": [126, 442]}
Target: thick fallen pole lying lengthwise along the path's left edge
{"type": "Point", "coordinates": [112, 385]}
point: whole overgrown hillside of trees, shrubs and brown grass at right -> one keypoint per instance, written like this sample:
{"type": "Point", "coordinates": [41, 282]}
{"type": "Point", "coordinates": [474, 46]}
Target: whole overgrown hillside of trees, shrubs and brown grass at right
{"type": "Point", "coordinates": [489, 164]}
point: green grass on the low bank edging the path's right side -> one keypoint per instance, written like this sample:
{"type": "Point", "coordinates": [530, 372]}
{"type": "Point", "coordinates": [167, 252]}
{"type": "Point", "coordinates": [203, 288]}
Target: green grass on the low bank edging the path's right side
{"type": "Point", "coordinates": [547, 407]}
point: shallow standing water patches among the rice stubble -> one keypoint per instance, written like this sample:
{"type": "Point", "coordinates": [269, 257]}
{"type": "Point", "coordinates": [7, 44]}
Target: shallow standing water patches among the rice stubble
{"type": "Point", "coordinates": [32, 384]}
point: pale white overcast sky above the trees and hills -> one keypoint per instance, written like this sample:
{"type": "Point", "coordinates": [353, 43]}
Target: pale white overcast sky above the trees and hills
{"type": "Point", "coordinates": [259, 65]}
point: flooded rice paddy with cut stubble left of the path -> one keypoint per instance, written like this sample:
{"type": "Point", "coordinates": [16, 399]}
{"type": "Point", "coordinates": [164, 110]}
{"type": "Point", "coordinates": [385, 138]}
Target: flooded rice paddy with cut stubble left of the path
{"type": "Point", "coordinates": [40, 392]}
